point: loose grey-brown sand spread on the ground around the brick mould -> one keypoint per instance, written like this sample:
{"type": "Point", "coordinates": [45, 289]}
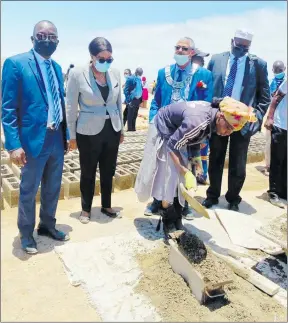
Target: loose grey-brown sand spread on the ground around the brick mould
{"type": "Point", "coordinates": [174, 301]}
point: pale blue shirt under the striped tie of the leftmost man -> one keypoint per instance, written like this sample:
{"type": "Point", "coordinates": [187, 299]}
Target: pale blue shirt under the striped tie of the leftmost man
{"type": "Point", "coordinates": [41, 61]}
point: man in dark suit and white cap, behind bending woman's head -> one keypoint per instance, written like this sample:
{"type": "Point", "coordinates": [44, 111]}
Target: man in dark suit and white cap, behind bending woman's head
{"type": "Point", "coordinates": [243, 77]}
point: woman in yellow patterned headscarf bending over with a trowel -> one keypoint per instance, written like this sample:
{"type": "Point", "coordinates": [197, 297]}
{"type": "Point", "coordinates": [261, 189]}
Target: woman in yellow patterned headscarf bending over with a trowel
{"type": "Point", "coordinates": [164, 165]}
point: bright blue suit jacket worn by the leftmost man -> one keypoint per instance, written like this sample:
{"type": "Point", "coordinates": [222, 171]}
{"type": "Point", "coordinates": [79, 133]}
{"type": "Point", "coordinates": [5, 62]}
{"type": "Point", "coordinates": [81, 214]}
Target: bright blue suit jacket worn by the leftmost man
{"type": "Point", "coordinates": [25, 104]}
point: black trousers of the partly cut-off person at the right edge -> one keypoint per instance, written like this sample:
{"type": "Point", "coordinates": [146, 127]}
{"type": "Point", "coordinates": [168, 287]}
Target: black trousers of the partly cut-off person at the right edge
{"type": "Point", "coordinates": [278, 164]}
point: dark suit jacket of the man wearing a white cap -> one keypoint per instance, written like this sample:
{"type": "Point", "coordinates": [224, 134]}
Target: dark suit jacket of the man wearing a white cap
{"type": "Point", "coordinates": [255, 86]}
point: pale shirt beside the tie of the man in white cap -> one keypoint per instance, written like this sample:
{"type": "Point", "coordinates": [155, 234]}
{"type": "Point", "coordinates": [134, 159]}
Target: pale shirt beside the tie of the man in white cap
{"type": "Point", "coordinates": [237, 88]}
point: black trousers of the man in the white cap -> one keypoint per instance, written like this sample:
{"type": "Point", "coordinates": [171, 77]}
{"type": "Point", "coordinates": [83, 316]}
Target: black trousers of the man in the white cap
{"type": "Point", "coordinates": [237, 165]}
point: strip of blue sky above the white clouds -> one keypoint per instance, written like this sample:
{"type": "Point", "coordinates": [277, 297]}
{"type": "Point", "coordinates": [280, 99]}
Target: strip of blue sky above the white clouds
{"type": "Point", "coordinates": [113, 14]}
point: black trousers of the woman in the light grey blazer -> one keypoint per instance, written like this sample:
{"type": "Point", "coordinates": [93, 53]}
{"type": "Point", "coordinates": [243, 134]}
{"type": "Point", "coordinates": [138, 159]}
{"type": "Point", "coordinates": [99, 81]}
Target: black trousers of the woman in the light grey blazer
{"type": "Point", "coordinates": [102, 149]}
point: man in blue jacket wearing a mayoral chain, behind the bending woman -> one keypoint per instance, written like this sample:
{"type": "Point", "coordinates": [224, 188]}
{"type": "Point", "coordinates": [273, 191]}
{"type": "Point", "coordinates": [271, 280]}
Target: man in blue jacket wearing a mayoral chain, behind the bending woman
{"type": "Point", "coordinates": [176, 83]}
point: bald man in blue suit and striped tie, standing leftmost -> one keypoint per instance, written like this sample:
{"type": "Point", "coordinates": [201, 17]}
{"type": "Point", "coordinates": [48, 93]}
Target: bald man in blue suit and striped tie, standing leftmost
{"type": "Point", "coordinates": [36, 136]}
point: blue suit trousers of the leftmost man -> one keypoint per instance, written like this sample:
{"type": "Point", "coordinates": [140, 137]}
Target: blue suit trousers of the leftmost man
{"type": "Point", "coordinates": [46, 169]}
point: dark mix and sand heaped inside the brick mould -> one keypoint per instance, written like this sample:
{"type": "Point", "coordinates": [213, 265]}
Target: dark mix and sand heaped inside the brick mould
{"type": "Point", "coordinates": [211, 267]}
